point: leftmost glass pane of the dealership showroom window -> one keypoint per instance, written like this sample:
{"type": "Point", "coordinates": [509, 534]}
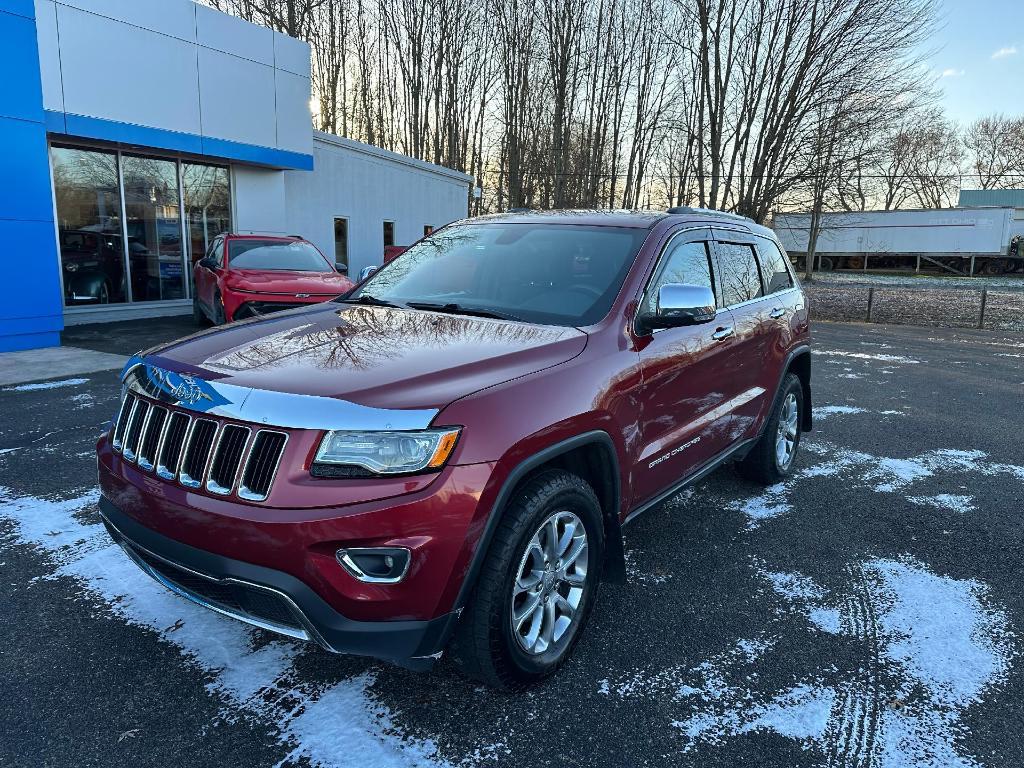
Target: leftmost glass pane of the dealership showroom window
{"type": "Point", "coordinates": [89, 200]}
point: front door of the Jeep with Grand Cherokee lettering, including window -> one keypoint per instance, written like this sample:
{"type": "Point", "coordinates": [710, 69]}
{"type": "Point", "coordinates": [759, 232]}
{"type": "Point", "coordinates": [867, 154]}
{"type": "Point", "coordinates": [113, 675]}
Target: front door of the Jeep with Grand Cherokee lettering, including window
{"type": "Point", "coordinates": [682, 423]}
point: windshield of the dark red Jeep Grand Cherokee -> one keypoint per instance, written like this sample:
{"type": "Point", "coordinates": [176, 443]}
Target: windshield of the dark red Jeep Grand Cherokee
{"type": "Point", "coordinates": [550, 274]}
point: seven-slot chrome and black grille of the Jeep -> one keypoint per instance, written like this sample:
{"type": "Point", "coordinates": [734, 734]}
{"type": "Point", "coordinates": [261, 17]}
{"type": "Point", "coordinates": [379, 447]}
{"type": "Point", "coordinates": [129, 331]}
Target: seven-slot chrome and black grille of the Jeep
{"type": "Point", "coordinates": [198, 452]}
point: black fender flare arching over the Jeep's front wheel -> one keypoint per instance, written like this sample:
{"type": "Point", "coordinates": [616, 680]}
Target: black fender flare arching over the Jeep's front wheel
{"type": "Point", "coordinates": [615, 561]}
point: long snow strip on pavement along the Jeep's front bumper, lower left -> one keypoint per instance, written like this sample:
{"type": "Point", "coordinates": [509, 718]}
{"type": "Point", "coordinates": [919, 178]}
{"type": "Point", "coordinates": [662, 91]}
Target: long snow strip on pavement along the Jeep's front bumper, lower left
{"type": "Point", "coordinates": [333, 726]}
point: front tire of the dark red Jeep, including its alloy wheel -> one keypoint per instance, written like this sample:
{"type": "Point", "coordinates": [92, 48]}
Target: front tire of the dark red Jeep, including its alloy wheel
{"type": "Point", "coordinates": [538, 584]}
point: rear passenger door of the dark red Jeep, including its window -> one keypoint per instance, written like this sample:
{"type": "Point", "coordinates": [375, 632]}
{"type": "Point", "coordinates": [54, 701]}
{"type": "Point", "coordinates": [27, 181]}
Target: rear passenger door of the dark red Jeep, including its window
{"type": "Point", "coordinates": [753, 360]}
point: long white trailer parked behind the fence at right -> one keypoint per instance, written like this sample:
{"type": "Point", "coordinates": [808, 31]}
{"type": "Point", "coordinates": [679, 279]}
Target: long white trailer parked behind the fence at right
{"type": "Point", "coordinates": [958, 240]}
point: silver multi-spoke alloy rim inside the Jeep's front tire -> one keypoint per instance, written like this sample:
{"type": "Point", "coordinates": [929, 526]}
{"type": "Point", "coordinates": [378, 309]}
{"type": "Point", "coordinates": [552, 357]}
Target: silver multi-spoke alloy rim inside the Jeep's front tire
{"type": "Point", "coordinates": [549, 584]}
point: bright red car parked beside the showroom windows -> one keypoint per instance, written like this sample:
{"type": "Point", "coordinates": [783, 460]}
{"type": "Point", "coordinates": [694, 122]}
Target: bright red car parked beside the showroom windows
{"type": "Point", "coordinates": [247, 276]}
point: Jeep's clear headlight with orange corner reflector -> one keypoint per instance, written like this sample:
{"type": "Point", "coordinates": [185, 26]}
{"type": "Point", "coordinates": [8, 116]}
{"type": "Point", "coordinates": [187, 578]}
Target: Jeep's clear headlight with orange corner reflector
{"type": "Point", "coordinates": [387, 453]}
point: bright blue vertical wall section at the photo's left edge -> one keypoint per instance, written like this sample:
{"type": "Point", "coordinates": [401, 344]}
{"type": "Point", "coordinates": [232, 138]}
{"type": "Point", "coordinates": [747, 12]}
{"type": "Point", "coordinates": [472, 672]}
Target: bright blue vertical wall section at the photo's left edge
{"type": "Point", "coordinates": [32, 314]}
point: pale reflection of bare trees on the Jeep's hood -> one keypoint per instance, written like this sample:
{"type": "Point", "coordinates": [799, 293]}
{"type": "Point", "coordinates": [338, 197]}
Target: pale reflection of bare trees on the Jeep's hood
{"type": "Point", "coordinates": [362, 337]}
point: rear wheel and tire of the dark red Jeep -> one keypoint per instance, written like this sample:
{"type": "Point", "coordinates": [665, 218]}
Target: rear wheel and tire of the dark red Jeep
{"type": "Point", "coordinates": [775, 454]}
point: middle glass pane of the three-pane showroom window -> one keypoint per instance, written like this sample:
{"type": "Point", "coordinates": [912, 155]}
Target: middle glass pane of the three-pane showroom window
{"type": "Point", "coordinates": [153, 216]}
